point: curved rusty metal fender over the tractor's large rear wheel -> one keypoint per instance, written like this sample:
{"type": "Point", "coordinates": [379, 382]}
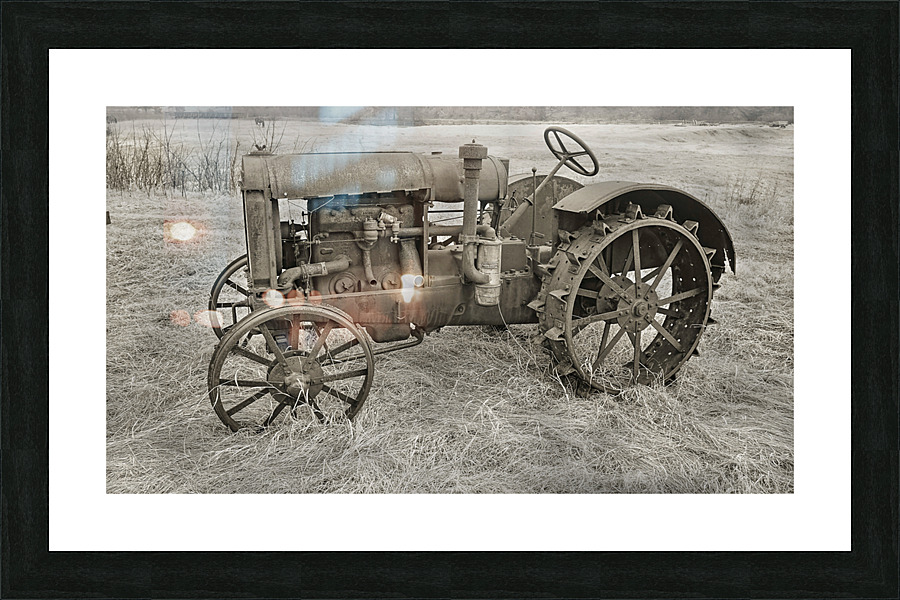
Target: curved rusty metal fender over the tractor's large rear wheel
{"type": "Point", "coordinates": [615, 196]}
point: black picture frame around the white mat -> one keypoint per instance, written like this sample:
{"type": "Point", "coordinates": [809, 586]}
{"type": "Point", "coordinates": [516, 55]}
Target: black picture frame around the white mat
{"type": "Point", "coordinates": [869, 29]}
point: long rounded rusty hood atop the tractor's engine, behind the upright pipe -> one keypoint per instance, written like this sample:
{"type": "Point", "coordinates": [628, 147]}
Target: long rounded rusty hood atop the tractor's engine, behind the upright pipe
{"type": "Point", "coordinates": [337, 174]}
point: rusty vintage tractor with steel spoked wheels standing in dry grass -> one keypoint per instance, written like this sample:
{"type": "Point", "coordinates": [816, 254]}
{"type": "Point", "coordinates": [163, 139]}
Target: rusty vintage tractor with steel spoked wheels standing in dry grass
{"type": "Point", "coordinates": [619, 276]}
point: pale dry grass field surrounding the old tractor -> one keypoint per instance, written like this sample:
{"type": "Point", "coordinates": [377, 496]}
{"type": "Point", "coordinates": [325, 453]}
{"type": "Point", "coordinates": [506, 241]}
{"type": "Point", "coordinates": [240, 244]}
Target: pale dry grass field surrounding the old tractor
{"type": "Point", "coordinates": [470, 410]}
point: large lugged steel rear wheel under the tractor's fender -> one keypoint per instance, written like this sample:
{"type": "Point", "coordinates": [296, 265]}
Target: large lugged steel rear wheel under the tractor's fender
{"type": "Point", "coordinates": [627, 301]}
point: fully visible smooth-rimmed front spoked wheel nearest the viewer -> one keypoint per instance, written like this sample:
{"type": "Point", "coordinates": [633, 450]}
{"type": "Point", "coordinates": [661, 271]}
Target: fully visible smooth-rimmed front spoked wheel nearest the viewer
{"type": "Point", "coordinates": [306, 361]}
